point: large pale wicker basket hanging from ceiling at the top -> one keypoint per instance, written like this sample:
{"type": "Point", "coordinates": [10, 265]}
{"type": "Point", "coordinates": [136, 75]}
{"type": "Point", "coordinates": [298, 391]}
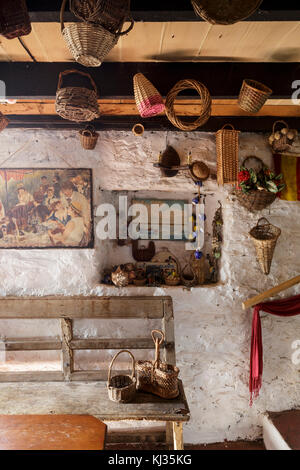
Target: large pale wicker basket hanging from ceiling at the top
{"type": "Point", "coordinates": [89, 43]}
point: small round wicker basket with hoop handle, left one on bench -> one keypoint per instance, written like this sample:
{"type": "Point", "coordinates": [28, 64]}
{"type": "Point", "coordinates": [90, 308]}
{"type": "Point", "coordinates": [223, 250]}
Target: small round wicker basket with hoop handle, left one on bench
{"type": "Point", "coordinates": [121, 388]}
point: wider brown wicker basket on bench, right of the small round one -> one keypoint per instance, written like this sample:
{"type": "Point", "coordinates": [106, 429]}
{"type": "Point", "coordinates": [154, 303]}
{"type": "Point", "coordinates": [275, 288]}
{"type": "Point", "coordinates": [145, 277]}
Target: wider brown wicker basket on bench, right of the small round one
{"type": "Point", "coordinates": [155, 376]}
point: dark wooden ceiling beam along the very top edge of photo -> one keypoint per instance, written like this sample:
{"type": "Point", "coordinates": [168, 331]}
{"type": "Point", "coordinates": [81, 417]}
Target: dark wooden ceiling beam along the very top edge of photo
{"type": "Point", "coordinates": [167, 10]}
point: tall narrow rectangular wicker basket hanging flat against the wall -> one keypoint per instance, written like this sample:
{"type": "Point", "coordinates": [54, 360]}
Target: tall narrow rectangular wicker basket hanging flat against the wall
{"type": "Point", "coordinates": [227, 143]}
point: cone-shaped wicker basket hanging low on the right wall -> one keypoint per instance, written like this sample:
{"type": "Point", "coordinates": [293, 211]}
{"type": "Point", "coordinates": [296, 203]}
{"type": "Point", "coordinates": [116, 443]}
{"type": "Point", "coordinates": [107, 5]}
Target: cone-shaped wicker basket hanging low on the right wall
{"type": "Point", "coordinates": [265, 238]}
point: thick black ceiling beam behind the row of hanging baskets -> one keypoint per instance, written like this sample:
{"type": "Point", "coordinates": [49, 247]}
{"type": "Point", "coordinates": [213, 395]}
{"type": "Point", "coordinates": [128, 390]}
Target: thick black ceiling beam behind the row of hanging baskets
{"type": "Point", "coordinates": [114, 79]}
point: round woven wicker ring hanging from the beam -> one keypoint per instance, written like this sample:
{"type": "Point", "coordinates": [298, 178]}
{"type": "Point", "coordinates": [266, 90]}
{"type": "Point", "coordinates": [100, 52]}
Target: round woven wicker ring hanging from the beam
{"type": "Point", "coordinates": [205, 109]}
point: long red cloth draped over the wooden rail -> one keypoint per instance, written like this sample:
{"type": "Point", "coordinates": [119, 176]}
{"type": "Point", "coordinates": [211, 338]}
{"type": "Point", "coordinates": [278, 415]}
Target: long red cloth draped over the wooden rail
{"type": "Point", "coordinates": [283, 308]}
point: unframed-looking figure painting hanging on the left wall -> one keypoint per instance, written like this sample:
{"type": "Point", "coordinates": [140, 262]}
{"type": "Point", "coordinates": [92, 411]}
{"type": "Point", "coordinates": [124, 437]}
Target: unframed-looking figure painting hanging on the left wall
{"type": "Point", "coordinates": [46, 208]}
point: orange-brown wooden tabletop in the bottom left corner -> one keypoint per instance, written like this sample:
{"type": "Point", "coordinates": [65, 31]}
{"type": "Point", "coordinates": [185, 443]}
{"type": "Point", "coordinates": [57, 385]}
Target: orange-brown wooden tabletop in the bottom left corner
{"type": "Point", "coordinates": [51, 432]}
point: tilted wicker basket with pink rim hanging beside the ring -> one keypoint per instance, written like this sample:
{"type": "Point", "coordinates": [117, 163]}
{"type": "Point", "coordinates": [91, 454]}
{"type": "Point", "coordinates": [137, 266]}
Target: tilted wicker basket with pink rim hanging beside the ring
{"type": "Point", "coordinates": [148, 100]}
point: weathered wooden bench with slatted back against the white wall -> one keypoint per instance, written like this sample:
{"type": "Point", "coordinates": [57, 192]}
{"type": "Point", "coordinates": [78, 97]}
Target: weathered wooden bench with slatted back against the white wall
{"type": "Point", "coordinates": [71, 391]}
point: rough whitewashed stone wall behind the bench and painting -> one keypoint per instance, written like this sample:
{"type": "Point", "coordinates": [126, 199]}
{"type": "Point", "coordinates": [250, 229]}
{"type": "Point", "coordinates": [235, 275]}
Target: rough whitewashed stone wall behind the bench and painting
{"type": "Point", "coordinates": [212, 330]}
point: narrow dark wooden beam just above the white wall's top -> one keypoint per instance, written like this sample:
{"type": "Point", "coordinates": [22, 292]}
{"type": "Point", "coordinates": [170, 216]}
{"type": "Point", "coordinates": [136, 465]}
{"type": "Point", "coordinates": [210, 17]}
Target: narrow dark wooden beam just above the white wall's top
{"type": "Point", "coordinates": [161, 123]}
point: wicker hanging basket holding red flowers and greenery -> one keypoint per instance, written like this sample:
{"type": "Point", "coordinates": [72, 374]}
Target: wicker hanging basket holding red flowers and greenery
{"type": "Point", "coordinates": [255, 200]}
